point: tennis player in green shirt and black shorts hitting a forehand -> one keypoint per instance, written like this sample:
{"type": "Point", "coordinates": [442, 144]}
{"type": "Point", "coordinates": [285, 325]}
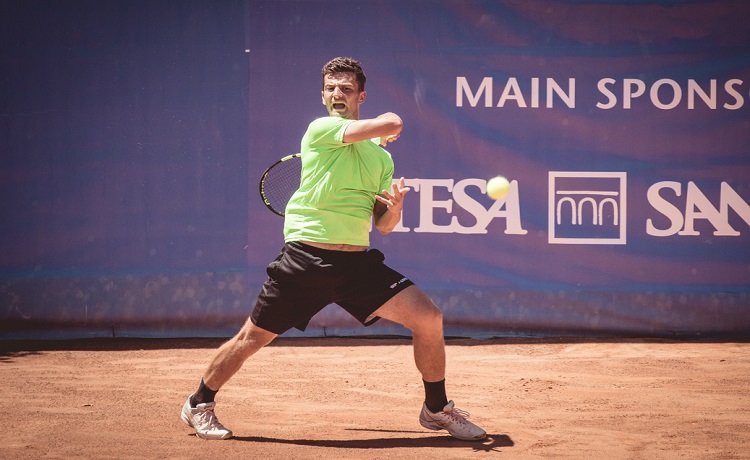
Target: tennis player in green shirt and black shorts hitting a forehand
{"type": "Point", "coordinates": [347, 182]}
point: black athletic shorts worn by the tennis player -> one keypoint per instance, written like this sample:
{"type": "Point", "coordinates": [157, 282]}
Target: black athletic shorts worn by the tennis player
{"type": "Point", "coordinates": [303, 279]}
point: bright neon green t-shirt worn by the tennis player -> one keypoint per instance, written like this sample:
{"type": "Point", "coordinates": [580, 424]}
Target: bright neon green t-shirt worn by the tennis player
{"type": "Point", "coordinates": [339, 182]}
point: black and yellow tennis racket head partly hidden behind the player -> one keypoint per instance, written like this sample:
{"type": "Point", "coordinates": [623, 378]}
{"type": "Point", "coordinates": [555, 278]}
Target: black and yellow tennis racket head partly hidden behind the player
{"type": "Point", "coordinates": [279, 183]}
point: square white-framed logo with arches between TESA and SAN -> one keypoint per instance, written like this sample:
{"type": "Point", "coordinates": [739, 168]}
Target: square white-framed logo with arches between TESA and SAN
{"type": "Point", "coordinates": [587, 207]}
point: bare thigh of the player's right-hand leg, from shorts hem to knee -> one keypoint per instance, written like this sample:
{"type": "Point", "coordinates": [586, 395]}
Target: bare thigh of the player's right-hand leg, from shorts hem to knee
{"type": "Point", "coordinates": [411, 308]}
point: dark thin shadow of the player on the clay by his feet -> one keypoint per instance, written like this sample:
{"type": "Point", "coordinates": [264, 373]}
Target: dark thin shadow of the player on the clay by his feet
{"type": "Point", "coordinates": [491, 443]}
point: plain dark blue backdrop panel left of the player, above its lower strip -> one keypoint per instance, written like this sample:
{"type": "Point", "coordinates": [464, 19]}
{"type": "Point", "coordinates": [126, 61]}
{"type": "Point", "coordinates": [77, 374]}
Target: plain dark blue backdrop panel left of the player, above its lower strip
{"type": "Point", "coordinates": [123, 137]}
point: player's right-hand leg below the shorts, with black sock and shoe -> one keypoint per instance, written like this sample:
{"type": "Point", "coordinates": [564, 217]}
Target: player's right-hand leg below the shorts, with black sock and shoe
{"type": "Point", "coordinates": [413, 309]}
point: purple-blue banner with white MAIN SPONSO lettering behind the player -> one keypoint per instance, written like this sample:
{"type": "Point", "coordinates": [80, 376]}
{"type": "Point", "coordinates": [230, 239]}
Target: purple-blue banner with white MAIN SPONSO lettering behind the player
{"type": "Point", "coordinates": [626, 146]}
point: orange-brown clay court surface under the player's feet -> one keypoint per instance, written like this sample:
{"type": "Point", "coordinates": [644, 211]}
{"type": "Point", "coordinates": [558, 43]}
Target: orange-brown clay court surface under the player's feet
{"type": "Point", "coordinates": [359, 399]}
